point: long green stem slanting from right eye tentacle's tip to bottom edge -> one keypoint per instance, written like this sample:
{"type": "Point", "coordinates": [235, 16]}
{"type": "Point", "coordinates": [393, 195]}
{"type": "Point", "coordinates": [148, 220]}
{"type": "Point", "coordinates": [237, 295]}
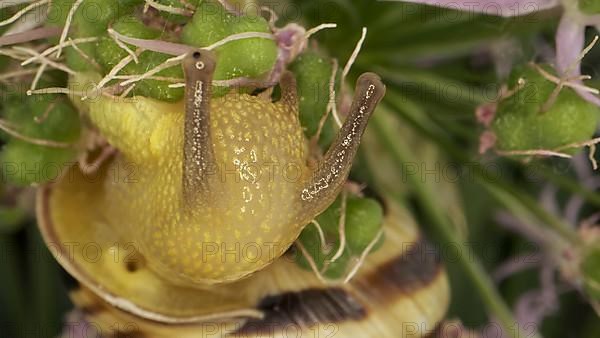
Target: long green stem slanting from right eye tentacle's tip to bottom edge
{"type": "Point", "coordinates": [485, 286]}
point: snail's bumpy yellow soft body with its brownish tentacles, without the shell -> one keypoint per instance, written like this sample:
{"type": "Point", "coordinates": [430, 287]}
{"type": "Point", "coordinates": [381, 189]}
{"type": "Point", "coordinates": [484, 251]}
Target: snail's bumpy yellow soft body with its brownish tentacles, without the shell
{"type": "Point", "coordinates": [211, 191]}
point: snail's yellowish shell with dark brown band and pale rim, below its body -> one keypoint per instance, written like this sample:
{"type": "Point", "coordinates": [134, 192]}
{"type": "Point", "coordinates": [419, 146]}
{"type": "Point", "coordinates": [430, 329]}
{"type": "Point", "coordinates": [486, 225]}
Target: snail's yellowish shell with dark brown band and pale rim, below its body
{"type": "Point", "coordinates": [113, 274]}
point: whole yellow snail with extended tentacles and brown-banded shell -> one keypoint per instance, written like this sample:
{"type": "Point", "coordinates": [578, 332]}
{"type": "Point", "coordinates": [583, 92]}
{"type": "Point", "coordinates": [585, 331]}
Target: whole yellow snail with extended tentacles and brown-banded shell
{"type": "Point", "coordinates": [150, 239]}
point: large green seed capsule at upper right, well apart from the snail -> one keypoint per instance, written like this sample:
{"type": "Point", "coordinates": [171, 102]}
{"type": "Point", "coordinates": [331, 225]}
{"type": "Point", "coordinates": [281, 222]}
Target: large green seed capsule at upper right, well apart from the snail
{"type": "Point", "coordinates": [520, 123]}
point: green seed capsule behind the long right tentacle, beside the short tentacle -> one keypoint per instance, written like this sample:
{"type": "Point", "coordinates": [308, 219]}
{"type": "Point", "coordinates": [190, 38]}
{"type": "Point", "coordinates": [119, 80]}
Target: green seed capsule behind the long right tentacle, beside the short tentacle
{"type": "Point", "coordinates": [313, 73]}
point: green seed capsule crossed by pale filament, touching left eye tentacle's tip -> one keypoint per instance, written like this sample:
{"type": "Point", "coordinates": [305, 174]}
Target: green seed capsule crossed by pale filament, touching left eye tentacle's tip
{"type": "Point", "coordinates": [251, 57]}
